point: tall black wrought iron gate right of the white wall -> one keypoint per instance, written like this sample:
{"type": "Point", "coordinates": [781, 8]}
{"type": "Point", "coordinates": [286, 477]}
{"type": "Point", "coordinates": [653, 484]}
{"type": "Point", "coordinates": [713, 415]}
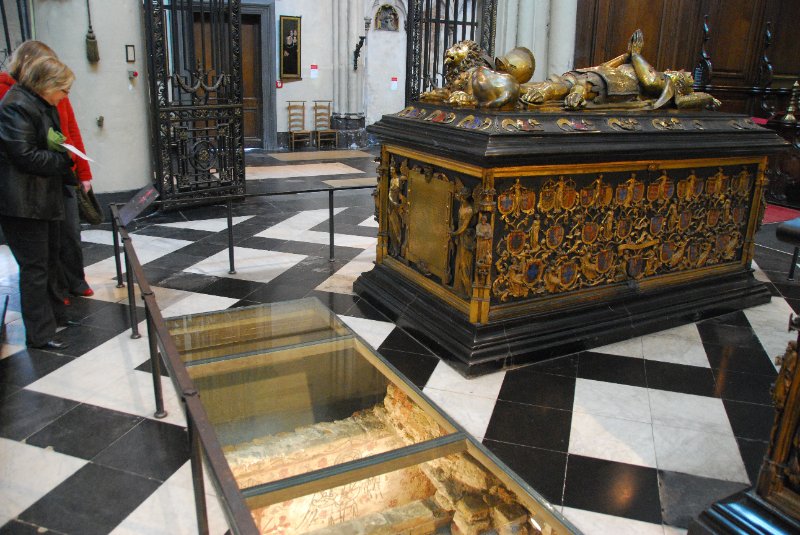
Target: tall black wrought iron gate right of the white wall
{"type": "Point", "coordinates": [194, 51]}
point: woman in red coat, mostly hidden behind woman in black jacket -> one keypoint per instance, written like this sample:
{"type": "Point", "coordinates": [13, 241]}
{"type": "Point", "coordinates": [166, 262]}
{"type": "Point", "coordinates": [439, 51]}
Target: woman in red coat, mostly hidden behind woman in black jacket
{"type": "Point", "coordinates": [72, 277]}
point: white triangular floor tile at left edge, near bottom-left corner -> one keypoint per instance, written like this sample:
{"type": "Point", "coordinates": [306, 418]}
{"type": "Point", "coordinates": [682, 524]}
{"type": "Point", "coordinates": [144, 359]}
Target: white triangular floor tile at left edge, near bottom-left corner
{"type": "Point", "coordinates": [28, 472]}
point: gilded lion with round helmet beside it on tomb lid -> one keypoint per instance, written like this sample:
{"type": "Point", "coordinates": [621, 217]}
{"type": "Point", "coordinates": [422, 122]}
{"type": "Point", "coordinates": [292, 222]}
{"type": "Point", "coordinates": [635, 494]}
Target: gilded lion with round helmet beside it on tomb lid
{"type": "Point", "coordinates": [472, 79]}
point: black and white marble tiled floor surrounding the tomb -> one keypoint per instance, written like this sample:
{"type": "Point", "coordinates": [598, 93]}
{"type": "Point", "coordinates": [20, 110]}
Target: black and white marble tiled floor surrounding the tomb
{"type": "Point", "coordinates": [636, 437]}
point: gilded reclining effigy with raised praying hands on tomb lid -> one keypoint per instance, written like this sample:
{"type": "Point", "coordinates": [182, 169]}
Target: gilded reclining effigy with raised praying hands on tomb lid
{"type": "Point", "coordinates": [625, 81]}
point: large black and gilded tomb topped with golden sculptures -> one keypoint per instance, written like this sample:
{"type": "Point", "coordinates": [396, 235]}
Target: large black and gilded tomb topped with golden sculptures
{"type": "Point", "coordinates": [511, 232]}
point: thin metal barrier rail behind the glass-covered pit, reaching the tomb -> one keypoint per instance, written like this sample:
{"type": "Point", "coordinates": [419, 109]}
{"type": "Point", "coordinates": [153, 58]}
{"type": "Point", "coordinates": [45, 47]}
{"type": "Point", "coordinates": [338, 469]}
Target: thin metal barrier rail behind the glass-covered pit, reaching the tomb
{"type": "Point", "coordinates": [116, 224]}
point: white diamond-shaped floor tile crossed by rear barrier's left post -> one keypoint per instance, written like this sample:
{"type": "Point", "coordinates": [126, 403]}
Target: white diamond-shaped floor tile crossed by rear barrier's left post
{"type": "Point", "coordinates": [251, 264]}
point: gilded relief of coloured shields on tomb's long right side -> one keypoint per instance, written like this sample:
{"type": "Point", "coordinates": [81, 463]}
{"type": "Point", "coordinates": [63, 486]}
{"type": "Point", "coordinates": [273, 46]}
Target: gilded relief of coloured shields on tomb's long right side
{"type": "Point", "coordinates": [586, 230]}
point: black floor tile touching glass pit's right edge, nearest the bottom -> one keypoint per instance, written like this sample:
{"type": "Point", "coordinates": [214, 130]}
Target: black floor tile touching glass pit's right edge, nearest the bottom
{"type": "Point", "coordinates": [544, 470]}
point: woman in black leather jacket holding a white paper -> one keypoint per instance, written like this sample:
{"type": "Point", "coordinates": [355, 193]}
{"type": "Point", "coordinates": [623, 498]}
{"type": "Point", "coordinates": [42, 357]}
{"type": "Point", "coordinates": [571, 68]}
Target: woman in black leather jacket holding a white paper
{"type": "Point", "coordinates": [32, 174]}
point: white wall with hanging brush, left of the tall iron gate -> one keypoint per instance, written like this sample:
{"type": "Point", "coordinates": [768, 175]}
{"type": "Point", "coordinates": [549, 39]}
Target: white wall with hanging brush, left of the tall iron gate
{"type": "Point", "coordinates": [121, 148]}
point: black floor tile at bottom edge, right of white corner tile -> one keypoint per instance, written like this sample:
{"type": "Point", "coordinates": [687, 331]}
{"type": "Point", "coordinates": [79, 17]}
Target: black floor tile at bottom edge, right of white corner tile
{"type": "Point", "coordinates": [94, 500]}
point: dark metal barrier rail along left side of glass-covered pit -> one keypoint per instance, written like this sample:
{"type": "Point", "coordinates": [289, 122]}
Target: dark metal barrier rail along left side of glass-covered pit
{"type": "Point", "coordinates": [202, 438]}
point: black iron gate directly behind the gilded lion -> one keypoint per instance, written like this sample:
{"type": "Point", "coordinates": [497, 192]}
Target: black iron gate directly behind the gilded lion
{"type": "Point", "coordinates": [433, 27]}
